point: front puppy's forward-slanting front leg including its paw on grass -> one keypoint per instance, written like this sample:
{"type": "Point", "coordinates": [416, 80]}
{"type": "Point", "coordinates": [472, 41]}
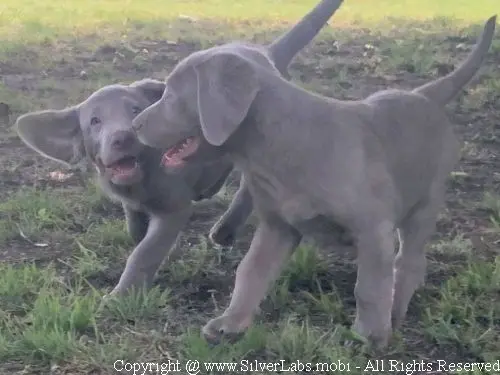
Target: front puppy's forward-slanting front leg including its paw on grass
{"type": "Point", "coordinates": [271, 245]}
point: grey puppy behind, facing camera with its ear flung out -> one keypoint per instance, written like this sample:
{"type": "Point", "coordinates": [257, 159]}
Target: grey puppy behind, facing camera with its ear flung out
{"type": "Point", "coordinates": [157, 205]}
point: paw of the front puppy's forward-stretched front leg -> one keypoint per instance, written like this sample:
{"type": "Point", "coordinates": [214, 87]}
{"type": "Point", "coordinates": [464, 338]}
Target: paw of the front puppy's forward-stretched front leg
{"type": "Point", "coordinates": [225, 328]}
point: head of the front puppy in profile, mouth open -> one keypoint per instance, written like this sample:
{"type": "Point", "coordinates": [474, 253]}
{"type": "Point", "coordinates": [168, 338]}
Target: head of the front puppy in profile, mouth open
{"type": "Point", "coordinates": [207, 97]}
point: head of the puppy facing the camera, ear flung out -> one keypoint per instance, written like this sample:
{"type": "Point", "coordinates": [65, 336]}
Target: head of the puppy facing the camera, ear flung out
{"type": "Point", "coordinates": [99, 128]}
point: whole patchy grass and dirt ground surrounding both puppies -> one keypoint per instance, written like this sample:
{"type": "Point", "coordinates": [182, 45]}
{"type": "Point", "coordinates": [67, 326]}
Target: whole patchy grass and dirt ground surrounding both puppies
{"type": "Point", "coordinates": [63, 245]}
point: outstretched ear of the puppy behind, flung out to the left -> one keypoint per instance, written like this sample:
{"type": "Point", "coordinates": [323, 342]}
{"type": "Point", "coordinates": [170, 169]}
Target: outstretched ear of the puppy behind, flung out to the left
{"type": "Point", "coordinates": [54, 134]}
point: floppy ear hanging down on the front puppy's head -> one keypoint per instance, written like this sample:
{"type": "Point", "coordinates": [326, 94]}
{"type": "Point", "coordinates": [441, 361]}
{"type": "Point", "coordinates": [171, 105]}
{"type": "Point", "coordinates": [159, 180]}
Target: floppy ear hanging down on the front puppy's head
{"type": "Point", "coordinates": [227, 86]}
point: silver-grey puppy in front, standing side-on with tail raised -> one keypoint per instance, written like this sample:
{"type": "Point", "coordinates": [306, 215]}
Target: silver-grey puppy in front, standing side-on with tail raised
{"type": "Point", "coordinates": [373, 166]}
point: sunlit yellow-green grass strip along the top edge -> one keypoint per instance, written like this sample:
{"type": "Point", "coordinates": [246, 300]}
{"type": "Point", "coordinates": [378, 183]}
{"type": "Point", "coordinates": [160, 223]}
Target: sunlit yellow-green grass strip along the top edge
{"type": "Point", "coordinates": [41, 21]}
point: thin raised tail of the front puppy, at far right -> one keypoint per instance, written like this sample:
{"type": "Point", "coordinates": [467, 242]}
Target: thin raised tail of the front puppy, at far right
{"type": "Point", "coordinates": [444, 89]}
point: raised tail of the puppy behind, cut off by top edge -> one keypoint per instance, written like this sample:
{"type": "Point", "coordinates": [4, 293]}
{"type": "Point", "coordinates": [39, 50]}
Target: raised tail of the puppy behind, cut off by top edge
{"type": "Point", "coordinates": [284, 49]}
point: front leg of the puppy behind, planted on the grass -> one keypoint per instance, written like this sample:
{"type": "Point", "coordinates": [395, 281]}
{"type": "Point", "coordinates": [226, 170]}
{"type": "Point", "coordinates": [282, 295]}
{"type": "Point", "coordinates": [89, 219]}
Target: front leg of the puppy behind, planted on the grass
{"type": "Point", "coordinates": [149, 254]}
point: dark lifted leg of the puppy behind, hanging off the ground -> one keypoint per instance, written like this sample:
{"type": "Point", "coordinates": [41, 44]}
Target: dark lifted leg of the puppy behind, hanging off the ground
{"type": "Point", "coordinates": [224, 231]}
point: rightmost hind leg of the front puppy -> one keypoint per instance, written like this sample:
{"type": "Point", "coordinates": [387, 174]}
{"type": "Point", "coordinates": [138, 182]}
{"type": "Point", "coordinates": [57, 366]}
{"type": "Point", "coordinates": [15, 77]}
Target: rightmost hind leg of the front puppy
{"type": "Point", "coordinates": [410, 263]}
